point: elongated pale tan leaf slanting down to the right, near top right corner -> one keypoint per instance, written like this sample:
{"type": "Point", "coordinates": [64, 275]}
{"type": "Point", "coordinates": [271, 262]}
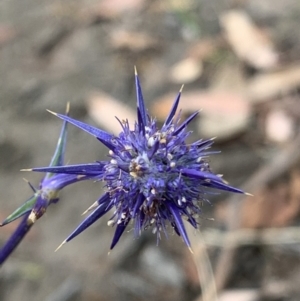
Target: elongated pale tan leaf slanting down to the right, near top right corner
{"type": "Point", "coordinates": [248, 41]}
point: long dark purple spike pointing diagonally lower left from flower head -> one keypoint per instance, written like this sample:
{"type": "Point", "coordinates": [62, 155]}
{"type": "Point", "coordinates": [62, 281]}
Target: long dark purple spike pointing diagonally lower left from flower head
{"type": "Point", "coordinates": [93, 217]}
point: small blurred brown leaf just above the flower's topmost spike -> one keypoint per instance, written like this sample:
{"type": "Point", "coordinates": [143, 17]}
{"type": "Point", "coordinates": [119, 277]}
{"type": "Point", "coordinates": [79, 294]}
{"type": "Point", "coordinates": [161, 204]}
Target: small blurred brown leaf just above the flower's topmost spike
{"type": "Point", "coordinates": [134, 41]}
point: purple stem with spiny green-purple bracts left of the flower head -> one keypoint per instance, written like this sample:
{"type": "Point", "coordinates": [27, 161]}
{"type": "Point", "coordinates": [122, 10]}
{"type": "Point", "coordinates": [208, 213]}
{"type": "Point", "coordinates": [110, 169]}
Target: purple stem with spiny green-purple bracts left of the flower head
{"type": "Point", "coordinates": [45, 195]}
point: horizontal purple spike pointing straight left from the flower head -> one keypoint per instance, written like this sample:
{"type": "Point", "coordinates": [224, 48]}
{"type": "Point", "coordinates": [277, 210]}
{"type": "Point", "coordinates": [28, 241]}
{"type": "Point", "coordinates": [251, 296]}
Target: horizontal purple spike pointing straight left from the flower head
{"type": "Point", "coordinates": [78, 169]}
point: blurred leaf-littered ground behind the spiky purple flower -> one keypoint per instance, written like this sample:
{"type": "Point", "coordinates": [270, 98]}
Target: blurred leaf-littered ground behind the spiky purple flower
{"type": "Point", "coordinates": [240, 63]}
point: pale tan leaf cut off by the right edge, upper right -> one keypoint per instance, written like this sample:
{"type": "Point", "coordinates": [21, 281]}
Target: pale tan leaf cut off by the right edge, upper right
{"type": "Point", "coordinates": [267, 86]}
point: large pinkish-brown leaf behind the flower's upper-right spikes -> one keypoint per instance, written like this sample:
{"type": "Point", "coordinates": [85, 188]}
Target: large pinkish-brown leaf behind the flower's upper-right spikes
{"type": "Point", "coordinates": [223, 114]}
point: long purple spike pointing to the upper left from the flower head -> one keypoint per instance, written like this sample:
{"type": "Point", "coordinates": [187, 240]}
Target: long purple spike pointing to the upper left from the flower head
{"type": "Point", "coordinates": [99, 134]}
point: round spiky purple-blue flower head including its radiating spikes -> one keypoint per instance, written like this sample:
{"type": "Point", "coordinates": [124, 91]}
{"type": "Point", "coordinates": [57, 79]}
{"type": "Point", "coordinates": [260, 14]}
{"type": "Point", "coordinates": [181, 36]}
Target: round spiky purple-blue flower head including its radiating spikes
{"type": "Point", "coordinates": [152, 178]}
